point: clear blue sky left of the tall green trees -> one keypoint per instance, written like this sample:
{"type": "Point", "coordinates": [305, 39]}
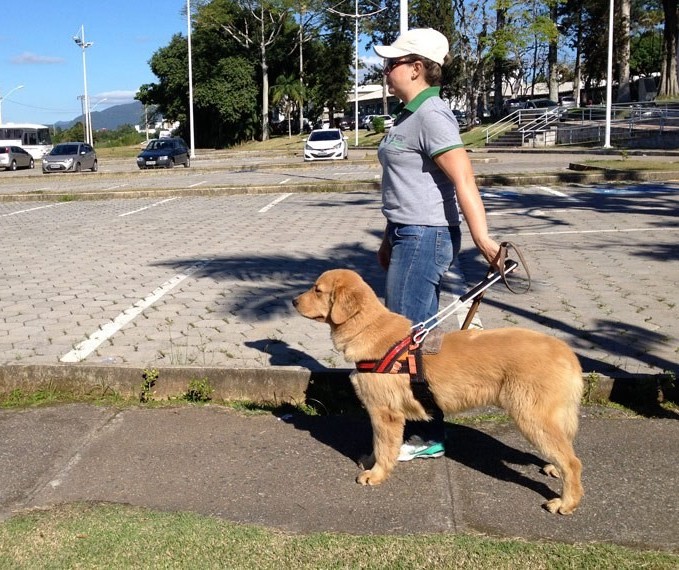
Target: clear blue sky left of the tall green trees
{"type": "Point", "coordinates": [37, 51]}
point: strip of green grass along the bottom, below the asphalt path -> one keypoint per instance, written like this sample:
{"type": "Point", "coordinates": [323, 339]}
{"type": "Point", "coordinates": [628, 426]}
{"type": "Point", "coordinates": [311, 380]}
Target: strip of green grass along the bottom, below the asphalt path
{"type": "Point", "coordinates": [115, 536]}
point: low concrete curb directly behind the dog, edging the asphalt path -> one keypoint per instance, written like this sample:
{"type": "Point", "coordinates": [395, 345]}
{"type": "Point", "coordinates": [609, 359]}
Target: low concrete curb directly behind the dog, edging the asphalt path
{"type": "Point", "coordinates": [331, 388]}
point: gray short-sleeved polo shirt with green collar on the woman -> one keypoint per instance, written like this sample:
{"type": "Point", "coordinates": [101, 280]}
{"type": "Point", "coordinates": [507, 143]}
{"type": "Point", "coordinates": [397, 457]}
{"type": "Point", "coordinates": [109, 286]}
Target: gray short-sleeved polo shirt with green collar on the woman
{"type": "Point", "coordinates": [414, 190]}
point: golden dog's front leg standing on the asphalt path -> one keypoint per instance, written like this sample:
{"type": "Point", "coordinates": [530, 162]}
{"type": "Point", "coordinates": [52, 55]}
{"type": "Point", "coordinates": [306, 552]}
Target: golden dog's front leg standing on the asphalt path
{"type": "Point", "coordinates": [387, 428]}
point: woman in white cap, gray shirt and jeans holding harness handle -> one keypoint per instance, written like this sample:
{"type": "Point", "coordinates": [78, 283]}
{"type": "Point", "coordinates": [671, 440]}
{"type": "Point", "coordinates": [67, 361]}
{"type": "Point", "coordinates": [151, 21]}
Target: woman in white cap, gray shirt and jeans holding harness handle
{"type": "Point", "coordinates": [426, 176]}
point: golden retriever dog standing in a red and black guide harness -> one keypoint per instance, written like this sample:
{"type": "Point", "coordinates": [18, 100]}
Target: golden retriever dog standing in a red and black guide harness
{"type": "Point", "coordinates": [536, 378]}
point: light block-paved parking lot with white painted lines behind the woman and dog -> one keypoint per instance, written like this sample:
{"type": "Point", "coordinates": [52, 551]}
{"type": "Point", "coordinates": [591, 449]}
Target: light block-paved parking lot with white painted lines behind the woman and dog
{"type": "Point", "coordinates": [193, 280]}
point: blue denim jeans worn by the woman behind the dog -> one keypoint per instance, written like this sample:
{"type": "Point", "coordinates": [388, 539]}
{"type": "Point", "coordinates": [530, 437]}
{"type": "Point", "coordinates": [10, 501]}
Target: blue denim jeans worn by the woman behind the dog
{"type": "Point", "coordinates": [420, 255]}
